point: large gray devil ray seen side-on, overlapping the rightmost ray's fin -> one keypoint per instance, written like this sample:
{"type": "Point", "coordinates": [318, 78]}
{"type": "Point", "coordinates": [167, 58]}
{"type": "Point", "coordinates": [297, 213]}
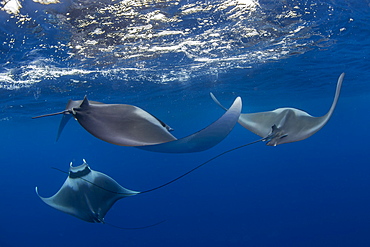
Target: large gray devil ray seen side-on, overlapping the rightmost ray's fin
{"type": "Point", "coordinates": [128, 125]}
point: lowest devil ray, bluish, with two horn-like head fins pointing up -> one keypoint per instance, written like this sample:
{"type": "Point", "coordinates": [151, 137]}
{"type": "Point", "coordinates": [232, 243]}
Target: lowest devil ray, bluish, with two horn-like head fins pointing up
{"type": "Point", "coordinates": [87, 194]}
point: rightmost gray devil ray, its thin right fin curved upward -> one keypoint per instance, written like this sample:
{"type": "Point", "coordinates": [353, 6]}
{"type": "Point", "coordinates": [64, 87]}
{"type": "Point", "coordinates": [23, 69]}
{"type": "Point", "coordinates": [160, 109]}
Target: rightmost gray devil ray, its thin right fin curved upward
{"type": "Point", "coordinates": [285, 125]}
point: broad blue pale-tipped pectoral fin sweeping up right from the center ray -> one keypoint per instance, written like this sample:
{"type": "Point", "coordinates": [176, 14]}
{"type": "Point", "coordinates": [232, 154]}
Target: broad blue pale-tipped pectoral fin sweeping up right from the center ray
{"type": "Point", "coordinates": [205, 138]}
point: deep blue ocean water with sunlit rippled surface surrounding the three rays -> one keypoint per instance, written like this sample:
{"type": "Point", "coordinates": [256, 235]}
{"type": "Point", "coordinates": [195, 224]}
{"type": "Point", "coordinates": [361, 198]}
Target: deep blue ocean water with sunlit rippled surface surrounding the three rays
{"type": "Point", "coordinates": [166, 57]}
